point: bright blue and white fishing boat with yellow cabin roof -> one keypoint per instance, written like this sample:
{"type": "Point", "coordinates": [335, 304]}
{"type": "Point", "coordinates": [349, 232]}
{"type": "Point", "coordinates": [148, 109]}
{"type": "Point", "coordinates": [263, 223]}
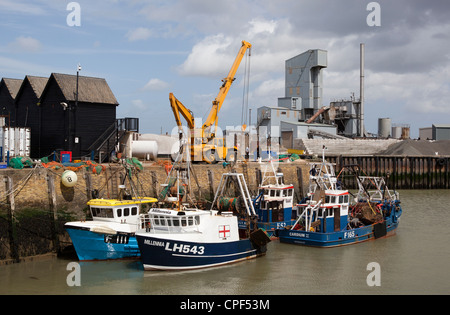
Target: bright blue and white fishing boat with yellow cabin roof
{"type": "Point", "coordinates": [111, 233]}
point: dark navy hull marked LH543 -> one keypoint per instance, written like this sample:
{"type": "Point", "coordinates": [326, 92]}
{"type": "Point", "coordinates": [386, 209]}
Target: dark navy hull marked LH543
{"type": "Point", "coordinates": [165, 254]}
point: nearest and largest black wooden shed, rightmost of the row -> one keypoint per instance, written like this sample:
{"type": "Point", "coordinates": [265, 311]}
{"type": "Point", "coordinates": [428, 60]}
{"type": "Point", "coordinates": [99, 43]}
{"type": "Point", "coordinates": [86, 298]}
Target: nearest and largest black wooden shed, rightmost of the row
{"type": "Point", "coordinates": [72, 121]}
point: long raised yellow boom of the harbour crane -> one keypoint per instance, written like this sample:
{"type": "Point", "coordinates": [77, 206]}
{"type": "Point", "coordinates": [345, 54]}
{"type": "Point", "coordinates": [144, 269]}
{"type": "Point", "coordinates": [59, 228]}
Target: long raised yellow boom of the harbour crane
{"type": "Point", "coordinates": [218, 101]}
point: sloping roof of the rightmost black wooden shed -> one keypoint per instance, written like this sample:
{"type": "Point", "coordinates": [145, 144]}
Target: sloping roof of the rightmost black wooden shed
{"type": "Point", "coordinates": [90, 89]}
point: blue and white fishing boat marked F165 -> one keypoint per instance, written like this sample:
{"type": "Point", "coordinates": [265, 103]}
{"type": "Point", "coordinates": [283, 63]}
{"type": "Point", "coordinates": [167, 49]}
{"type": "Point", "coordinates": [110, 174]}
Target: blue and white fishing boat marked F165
{"type": "Point", "coordinates": [331, 216]}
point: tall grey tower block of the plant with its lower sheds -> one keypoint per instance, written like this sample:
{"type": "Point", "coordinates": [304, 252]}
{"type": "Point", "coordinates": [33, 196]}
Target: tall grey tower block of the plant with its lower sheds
{"type": "Point", "coordinates": [292, 118]}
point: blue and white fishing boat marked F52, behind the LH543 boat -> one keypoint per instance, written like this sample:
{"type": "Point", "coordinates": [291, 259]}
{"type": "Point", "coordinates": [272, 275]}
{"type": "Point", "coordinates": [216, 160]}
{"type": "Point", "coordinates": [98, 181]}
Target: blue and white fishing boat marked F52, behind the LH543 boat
{"type": "Point", "coordinates": [274, 203]}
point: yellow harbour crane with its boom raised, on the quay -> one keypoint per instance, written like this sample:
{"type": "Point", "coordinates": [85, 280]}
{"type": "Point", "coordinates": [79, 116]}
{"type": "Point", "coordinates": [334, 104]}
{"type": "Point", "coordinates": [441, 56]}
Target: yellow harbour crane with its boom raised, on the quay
{"type": "Point", "coordinates": [204, 145]}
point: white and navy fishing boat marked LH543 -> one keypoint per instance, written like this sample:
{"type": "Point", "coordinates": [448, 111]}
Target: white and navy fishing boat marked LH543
{"type": "Point", "coordinates": [184, 238]}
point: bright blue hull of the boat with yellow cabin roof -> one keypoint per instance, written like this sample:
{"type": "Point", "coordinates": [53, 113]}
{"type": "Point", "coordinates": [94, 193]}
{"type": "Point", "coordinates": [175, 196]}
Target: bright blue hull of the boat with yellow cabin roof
{"type": "Point", "coordinates": [95, 246]}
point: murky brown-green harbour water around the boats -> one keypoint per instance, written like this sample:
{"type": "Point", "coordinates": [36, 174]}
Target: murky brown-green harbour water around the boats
{"type": "Point", "coordinates": [414, 261]}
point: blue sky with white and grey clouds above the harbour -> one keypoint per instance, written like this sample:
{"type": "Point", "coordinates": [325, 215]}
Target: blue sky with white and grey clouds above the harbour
{"type": "Point", "coordinates": [146, 49]}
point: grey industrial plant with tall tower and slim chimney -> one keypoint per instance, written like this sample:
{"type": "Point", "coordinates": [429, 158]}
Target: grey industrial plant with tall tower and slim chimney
{"type": "Point", "coordinates": [301, 119]}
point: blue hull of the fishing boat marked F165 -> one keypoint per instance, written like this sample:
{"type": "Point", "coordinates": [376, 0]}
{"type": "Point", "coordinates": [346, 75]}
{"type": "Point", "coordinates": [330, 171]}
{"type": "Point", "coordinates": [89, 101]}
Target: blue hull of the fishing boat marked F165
{"type": "Point", "coordinates": [340, 238]}
